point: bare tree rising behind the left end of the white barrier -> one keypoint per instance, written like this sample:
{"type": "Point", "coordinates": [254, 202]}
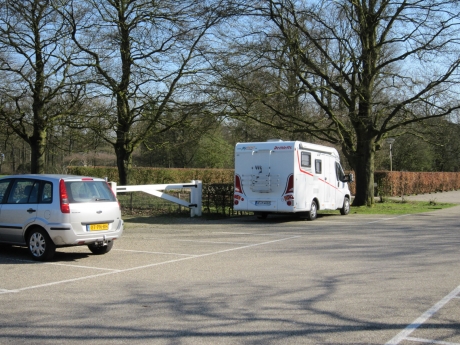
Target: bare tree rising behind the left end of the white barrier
{"type": "Point", "coordinates": [145, 57]}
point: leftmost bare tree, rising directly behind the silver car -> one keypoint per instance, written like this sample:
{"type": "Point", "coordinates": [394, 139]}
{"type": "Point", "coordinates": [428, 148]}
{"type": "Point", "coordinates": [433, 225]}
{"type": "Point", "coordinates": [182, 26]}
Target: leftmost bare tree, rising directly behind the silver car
{"type": "Point", "coordinates": [35, 63]}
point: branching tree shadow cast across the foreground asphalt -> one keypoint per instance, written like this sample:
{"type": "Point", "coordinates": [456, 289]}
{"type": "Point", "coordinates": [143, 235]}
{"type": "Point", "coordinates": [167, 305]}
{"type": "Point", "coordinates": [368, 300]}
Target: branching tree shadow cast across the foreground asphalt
{"type": "Point", "coordinates": [249, 313]}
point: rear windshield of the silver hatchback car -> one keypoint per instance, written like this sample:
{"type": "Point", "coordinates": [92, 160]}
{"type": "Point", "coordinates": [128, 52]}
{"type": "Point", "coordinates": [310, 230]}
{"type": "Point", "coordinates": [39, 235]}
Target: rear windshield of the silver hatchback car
{"type": "Point", "coordinates": [88, 191]}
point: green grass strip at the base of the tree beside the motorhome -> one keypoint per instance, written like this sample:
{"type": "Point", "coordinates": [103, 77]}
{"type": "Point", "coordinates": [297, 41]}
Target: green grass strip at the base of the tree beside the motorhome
{"type": "Point", "coordinates": [398, 207]}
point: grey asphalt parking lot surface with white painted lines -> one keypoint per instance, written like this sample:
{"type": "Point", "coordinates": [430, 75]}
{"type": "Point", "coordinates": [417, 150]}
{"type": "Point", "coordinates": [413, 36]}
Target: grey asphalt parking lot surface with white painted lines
{"type": "Point", "coordinates": [337, 280]}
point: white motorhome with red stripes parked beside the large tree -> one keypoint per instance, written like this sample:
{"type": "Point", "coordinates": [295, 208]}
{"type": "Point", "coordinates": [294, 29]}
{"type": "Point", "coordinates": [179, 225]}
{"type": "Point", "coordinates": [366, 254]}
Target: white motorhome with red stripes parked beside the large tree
{"type": "Point", "coordinates": [289, 177]}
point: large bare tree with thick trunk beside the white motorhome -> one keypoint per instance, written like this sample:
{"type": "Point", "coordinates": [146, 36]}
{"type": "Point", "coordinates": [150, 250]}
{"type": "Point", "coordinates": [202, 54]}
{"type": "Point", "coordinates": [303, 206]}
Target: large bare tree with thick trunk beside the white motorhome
{"type": "Point", "coordinates": [363, 69]}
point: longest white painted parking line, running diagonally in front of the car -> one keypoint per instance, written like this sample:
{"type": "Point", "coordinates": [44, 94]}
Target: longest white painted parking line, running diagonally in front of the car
{"type": "Point", "coordinates": [147, 266]}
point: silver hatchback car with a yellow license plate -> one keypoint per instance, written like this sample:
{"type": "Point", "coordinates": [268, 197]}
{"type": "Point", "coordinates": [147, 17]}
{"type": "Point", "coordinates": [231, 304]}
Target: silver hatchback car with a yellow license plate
{"type": "Point", "coordinates": [43, 212]}
